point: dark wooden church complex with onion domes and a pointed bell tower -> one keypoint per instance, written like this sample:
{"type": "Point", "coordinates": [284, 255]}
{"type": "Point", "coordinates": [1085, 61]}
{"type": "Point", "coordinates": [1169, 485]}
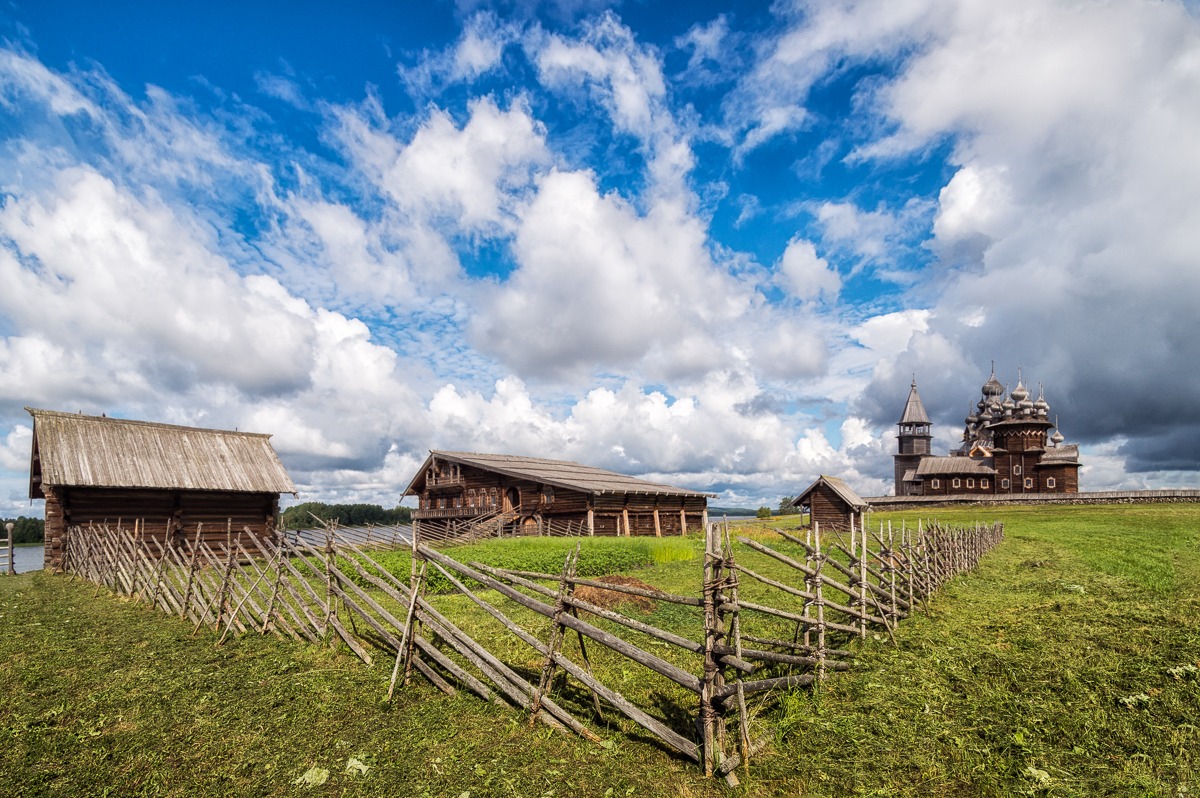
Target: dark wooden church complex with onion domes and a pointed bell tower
{"type": "Point", "coordinates": [1007, 448]}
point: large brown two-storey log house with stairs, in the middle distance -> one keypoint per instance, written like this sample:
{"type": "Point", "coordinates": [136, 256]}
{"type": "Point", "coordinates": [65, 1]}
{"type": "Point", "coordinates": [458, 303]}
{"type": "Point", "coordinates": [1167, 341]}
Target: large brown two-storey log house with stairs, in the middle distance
{"type": "Point", "coordinates": [467, 495]}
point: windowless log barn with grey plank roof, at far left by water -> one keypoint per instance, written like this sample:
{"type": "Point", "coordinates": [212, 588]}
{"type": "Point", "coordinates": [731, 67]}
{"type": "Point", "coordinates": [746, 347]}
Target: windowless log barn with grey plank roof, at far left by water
{"type": "Point", "coordinates": [169, 479]}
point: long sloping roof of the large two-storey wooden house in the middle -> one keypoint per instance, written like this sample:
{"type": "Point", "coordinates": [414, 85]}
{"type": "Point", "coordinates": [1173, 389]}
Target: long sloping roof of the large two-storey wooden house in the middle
{"type": "Point", "coordinates": [559, 473]}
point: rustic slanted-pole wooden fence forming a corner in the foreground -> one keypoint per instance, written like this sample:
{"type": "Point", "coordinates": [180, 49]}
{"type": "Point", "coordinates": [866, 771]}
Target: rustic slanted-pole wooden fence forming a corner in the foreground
{"type": "Point", "coordinates": [770, 617]}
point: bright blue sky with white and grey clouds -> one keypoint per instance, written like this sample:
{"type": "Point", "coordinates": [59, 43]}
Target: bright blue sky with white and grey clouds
{"type": "Point", "coordinates": [705, 244]}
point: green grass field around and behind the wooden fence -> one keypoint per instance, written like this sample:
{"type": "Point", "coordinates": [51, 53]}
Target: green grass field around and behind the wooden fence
{"type": "Point", "coordinates": [1067, 665]}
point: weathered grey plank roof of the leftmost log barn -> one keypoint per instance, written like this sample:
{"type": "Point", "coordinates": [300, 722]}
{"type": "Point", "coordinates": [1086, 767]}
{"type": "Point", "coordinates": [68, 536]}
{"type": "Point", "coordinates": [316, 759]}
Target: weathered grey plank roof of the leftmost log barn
{"type": "Point", "coordinates": [79, 451]}
